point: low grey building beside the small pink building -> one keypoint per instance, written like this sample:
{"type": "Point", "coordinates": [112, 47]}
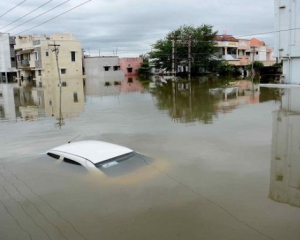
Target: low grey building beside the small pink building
{"type": "Point", "coordinates": [103, 67]}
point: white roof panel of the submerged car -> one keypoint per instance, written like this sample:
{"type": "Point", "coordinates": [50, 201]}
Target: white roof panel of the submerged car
{"type": "Point", "coordinates": [94, 151]}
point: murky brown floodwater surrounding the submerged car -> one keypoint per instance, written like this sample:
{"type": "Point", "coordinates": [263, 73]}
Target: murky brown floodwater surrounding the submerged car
{"type": "Point", "coordinates": [220, 161]}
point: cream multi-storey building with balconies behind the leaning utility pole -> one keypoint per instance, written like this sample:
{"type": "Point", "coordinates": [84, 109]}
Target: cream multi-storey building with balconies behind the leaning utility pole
{"type": "Point", "coordinates": [36, 60]}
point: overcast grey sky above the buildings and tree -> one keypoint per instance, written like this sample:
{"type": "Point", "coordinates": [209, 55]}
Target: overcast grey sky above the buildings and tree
{"type": "Point", "coordinates": [131, 26]}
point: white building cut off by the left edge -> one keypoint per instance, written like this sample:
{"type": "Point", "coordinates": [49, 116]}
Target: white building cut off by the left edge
{"type": "Point", "coordinates": [7, 58]}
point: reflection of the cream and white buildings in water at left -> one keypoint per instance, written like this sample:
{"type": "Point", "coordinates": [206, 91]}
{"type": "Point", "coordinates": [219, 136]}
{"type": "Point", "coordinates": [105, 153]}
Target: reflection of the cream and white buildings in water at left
{"type": "Point", "coordinates": [32, 103]}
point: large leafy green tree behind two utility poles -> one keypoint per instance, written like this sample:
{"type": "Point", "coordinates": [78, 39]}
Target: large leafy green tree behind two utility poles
{"type": "Point", "coordinates": [203, 48]}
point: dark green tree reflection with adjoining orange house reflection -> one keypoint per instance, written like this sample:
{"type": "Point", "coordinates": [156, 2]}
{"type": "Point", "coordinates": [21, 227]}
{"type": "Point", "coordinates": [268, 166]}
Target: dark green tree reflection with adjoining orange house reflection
{"type": "Point", "coordinates": [188, 101]}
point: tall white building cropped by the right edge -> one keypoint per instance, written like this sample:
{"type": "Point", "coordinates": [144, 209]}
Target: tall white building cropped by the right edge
{"type": "Point", "coordinates": [287, 38]}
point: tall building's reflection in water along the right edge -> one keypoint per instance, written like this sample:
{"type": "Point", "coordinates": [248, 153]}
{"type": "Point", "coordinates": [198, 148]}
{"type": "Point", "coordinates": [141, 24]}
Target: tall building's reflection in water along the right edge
{"type": "Point", "coordinates": [285, 162]}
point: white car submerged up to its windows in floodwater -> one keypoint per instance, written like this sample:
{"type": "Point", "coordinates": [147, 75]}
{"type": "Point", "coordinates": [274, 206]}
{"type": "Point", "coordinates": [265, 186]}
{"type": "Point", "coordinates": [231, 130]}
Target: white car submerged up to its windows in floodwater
{"type": "Point", "coordinates": [110, 158]}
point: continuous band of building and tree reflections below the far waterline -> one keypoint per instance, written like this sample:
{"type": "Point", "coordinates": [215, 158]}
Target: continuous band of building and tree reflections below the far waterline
{"type": "Point", "coordinates": [184, 101]}
